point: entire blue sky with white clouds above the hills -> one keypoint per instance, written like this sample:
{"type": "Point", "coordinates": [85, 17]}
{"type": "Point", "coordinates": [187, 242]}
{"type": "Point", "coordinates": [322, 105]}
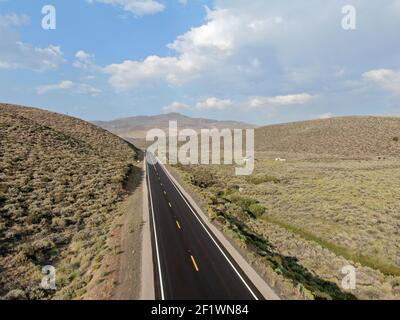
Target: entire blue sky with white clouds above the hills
{"type": "Point", "coordinates": [257, 61]}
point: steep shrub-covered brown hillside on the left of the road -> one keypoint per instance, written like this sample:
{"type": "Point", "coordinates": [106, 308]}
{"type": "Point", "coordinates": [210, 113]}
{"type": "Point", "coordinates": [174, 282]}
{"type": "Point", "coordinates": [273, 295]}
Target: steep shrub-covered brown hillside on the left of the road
{"type": "Point", "coordinates": [61, 180]}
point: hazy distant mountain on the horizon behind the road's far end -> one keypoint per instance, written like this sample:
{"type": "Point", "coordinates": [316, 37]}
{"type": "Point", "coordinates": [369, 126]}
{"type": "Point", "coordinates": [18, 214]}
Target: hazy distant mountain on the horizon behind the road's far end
{"type": "Point", "coordinates": [137, 127]}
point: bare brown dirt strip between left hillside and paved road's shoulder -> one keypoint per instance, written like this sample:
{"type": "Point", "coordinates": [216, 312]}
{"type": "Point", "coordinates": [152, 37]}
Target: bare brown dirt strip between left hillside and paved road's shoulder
{"type": "Point", "coordinates": [119, 276]}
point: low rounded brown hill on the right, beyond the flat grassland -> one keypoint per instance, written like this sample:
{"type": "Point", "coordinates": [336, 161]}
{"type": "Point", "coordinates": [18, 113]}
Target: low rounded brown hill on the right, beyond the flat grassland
{"type": "Point", "coordinates": [354, 137]}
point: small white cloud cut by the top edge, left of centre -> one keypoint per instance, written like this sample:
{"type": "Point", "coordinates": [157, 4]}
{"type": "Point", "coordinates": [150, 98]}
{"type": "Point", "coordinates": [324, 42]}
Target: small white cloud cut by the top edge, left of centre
{"type": "Point", "coordinates": [138, 7]}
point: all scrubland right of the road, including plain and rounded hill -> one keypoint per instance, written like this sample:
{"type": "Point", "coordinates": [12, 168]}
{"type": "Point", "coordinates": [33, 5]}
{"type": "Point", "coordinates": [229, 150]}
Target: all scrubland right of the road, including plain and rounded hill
{"type": "Point", "coordinates": [333, 203]}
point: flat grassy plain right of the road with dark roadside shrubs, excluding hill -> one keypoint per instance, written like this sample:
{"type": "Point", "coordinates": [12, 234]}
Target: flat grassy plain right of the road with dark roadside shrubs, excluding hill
{"type": "Point", "coordinates": [324, 230]}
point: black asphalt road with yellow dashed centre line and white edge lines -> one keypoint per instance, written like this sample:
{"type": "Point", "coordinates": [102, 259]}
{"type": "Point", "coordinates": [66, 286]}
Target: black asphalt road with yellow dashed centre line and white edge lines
{"type": "Point", "coordinates": [190, 263]}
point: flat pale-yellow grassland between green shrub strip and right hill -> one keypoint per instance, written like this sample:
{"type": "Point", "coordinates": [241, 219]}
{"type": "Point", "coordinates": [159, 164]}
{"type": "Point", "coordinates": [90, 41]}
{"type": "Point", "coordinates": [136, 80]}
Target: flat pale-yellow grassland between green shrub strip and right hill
{"type": "Point", "coordinates": [353, 204]}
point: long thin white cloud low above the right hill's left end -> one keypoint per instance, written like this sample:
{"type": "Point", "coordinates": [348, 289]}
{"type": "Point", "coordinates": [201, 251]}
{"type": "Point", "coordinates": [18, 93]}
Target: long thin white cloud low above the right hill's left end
{"type": "Point", "coordinates": [292, 99]}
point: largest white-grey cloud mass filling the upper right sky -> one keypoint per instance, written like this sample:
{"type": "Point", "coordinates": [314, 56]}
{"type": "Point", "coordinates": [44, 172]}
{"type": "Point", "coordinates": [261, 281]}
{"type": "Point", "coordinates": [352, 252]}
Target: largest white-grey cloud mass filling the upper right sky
{"type": "Point", "coordinates": [256, 48]}
